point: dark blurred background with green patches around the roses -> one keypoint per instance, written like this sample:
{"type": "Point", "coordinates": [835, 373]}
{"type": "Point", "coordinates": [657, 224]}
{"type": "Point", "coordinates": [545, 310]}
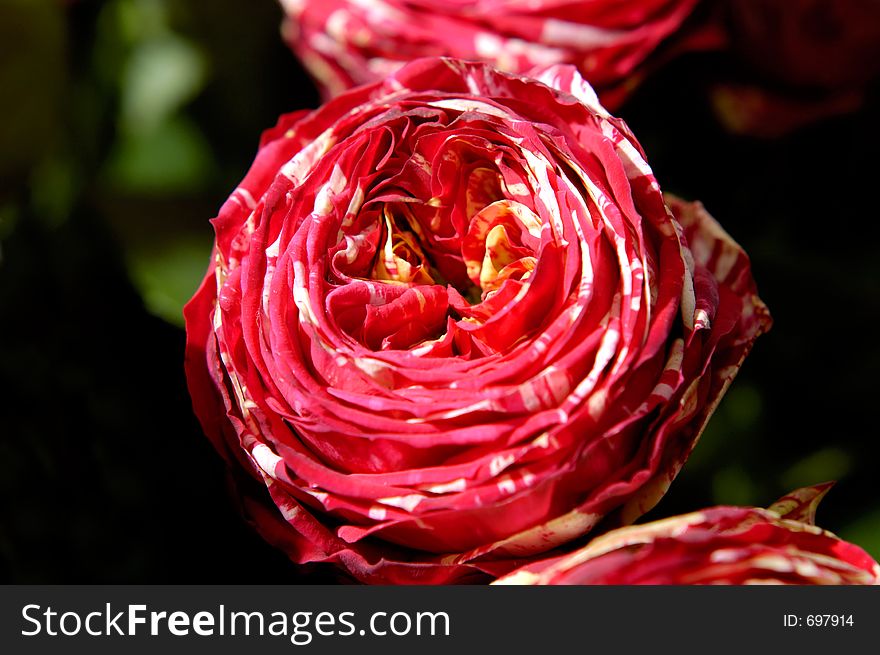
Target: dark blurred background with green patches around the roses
{"type": "Point", "coordinates": [125, 124]}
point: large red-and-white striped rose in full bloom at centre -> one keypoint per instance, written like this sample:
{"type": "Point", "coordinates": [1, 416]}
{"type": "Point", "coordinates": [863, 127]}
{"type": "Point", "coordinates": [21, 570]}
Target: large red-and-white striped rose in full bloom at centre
{"type": "Point", "coordinates": [450, 323]}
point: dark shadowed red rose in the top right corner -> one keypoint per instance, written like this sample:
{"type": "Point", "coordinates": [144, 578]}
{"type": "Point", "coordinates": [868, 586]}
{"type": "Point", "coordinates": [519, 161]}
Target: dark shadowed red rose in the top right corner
{"type": "Point", "coordinates": [804, 60]}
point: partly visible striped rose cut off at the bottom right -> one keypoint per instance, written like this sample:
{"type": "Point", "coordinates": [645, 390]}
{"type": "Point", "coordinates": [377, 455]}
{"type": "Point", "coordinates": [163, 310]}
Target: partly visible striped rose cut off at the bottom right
{"type": "Point", "coordinates": [720, 545]}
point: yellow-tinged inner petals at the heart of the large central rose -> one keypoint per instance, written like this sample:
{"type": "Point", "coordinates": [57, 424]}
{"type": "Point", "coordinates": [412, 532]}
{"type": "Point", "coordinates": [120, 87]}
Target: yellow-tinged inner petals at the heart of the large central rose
{"type": "Point", "coordinates": [450, 243]}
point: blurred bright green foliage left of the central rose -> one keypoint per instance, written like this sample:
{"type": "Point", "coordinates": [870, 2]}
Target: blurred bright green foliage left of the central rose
{"type": "Point", "coordinates": [159, 151]}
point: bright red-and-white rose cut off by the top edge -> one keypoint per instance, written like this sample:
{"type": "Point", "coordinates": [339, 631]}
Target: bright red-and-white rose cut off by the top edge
{"type": "Point", "coordinates": [345, 43]}
